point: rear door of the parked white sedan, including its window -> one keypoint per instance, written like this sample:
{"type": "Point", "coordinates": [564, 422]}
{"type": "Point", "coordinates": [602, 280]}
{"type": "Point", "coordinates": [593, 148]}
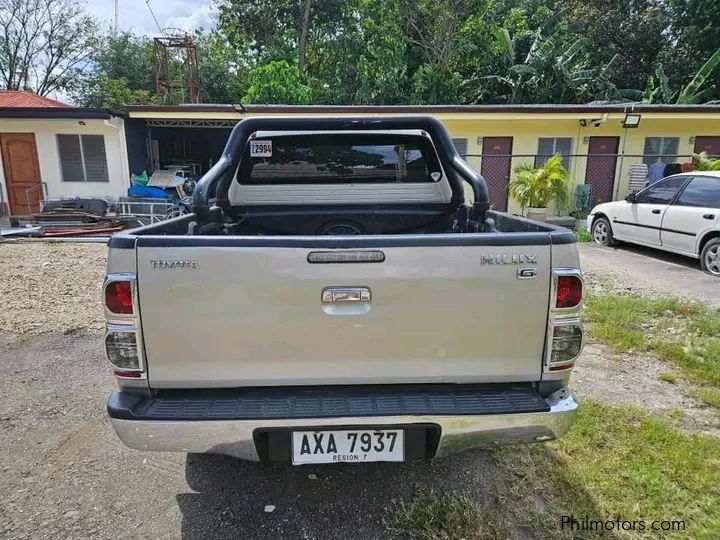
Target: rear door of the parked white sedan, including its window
{"type": "Point", "coordinates": [695, 211]}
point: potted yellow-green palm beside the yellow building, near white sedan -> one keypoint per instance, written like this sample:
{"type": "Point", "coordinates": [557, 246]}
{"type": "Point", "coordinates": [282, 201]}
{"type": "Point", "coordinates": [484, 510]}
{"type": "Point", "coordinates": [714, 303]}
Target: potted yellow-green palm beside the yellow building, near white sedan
{"type": "Point", "coordinates": [534, 187]}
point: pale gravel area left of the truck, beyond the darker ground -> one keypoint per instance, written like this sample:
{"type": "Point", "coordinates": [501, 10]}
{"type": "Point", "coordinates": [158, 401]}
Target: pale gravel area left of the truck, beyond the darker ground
{"type": "Point", "coordinates": [51, 287]}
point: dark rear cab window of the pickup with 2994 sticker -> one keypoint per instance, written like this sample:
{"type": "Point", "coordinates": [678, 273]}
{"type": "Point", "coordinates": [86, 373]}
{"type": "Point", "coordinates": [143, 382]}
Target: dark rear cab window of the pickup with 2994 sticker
{"type": "Point", "coordinates": [339, 159]}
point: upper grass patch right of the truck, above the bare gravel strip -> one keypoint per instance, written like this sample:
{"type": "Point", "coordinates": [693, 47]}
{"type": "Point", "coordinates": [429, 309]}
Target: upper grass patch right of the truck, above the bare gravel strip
{"type": "Point", "coordinates": [683, 334]}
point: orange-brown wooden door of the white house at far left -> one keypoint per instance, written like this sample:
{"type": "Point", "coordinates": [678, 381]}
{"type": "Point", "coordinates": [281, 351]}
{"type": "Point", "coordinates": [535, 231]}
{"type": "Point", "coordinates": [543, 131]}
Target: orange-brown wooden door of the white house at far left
{"type": "Point", "coordinates": [22, 171]}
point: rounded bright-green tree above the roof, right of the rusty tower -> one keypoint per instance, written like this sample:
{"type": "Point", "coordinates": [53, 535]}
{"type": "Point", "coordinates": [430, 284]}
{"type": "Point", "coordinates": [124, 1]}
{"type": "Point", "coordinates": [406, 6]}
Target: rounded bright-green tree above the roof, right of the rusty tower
{"type": "Point", "coordinates": [277, 82]}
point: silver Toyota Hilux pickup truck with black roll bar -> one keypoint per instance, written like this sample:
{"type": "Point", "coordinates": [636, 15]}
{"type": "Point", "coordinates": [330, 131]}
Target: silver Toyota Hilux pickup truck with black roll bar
{"type": "Point", "coordinates": [341, 292]}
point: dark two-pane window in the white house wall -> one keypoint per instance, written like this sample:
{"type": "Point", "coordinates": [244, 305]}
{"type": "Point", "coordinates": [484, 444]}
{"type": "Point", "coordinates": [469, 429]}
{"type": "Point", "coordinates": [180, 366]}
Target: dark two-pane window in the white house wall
{"type": "Point", "coordinates": [82, 158]}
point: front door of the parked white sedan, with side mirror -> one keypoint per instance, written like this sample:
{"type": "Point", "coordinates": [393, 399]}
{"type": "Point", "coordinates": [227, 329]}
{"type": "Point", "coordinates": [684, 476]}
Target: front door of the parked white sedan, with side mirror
{"type": "Point", "coordinates": [639, 220]}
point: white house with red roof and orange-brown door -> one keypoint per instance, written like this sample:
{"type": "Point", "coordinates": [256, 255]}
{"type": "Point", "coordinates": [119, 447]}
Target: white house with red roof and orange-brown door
{"type": "Point", "coordinates": [52, 149]}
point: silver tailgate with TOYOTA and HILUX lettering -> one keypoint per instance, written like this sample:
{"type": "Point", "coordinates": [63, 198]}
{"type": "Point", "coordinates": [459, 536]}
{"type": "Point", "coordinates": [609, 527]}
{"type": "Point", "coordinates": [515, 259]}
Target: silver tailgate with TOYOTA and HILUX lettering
{"type": "Point", "coordinates": [217, 315]}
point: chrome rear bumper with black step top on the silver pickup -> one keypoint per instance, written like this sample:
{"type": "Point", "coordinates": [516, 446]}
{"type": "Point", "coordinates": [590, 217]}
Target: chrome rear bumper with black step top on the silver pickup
{"type": "Point", "coordinates": [465, 418]}
